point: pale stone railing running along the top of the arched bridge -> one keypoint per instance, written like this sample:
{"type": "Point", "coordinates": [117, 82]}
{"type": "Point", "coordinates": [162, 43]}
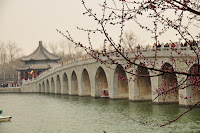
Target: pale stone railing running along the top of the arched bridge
{"type": "Point", "coordinates": [112, 54]}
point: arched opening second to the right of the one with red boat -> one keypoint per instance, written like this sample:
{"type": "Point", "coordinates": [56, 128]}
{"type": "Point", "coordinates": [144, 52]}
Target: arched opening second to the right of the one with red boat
{"type": "Point", "coordinates": [143, 83]}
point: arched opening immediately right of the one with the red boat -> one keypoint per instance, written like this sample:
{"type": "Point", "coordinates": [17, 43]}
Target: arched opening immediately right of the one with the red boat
{"type": "Point", "coordinates": [120, 83]}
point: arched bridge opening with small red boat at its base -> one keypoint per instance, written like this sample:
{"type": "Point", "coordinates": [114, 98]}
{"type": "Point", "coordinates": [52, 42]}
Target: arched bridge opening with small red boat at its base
{"type": "Point", "coordinates": [101, 82]}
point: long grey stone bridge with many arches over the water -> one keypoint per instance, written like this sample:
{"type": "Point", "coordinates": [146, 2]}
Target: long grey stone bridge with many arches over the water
{"type": "Point", "coordinates": [86, 77]}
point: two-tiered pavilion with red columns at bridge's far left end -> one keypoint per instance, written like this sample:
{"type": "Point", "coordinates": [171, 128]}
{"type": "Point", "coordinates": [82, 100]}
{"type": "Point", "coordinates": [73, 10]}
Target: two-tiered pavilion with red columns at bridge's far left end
{"type": "Point", "coordinates": [36, 63]}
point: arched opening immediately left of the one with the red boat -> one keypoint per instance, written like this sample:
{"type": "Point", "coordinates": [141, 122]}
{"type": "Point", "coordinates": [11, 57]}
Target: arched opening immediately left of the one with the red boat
{"type": "Point", "coordinates": [85, 83]}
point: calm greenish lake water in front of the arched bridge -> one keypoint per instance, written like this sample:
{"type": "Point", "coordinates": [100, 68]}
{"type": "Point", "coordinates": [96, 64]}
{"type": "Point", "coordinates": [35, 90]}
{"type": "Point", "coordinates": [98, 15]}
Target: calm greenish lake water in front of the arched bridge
{"type": "Point", "coordinates": [45, 113]}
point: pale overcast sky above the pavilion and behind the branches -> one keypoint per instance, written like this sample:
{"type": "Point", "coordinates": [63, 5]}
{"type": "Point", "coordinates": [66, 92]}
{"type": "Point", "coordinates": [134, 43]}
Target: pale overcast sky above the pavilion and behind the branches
{"type": "Point", "coordinates": [28, 21]}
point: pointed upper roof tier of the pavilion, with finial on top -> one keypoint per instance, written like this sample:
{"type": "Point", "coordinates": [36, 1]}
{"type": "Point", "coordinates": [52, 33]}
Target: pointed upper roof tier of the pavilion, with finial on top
{"type": "Point", "coordinates": [40, 54]}
